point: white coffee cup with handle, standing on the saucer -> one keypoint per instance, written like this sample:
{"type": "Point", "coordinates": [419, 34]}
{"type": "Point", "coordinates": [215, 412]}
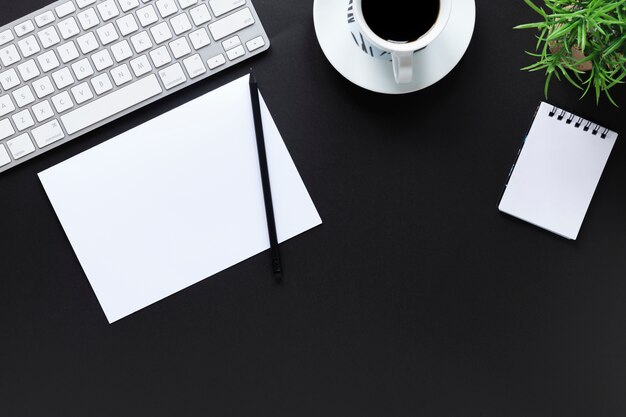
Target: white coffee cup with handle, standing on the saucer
{"type": "Point", "coordinates": [400, 53]}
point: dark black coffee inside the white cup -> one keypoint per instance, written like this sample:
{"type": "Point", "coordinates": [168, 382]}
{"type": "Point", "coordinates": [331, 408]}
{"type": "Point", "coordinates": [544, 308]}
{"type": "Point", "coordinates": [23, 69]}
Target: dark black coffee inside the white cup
{"type": "Point", "coordinates": [400, 20]}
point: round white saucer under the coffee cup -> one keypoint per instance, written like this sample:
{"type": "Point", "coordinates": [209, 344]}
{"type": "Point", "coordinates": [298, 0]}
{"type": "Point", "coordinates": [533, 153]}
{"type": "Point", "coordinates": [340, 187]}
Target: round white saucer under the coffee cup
{"type": "Point", "coordinates": [431, 64]}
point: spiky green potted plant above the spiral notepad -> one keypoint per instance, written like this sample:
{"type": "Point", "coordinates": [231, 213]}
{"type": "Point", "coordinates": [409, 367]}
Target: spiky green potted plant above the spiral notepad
{"type": "Point", "coordinates": [582, 41]}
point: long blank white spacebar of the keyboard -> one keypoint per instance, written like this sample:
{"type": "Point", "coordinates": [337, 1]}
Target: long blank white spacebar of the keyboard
{"type": "Point", "coordinates": [111, 104]}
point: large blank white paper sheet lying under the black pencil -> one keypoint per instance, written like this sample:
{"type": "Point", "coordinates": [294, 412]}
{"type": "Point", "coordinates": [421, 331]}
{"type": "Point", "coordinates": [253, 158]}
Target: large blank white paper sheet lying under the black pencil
{"type": "Point", "coordinates": [176, 200]}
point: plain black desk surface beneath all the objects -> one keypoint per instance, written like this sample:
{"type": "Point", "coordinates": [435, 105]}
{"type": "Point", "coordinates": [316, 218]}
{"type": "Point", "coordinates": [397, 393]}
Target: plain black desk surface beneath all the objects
{"type": "Point", "coordinates": [416, 297]}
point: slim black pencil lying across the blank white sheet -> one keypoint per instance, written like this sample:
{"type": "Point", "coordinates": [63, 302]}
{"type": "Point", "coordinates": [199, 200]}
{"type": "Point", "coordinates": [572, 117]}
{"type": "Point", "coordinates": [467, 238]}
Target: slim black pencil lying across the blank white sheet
{"type": "Point", "coordinates": [265, 178]}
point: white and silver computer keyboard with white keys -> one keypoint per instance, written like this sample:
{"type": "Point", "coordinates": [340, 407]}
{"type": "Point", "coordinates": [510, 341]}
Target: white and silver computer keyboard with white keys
{"type": "Point", "coordinates": [75, 65]}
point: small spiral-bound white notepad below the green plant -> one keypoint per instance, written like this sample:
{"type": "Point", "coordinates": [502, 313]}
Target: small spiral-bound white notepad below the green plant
{"type": "Point", "coordinates": [556, 174]}
